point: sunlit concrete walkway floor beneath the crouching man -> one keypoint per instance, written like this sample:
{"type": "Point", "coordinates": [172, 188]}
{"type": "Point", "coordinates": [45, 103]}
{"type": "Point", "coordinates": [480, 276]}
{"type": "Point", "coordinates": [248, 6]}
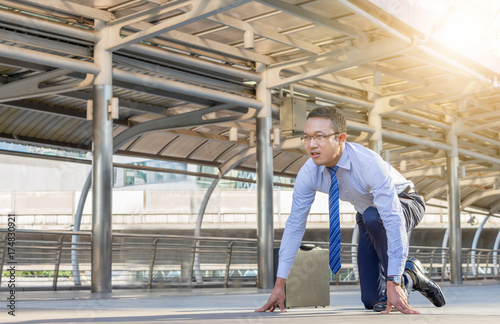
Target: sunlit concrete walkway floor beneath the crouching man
{"type": "Point", "coordinates": [472, 302]}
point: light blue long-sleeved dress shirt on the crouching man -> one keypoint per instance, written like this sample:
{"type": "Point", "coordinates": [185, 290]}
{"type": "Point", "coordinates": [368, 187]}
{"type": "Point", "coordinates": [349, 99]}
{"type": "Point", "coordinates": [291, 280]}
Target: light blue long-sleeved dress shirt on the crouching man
{"type": "Point", "coordinates": [365, 180]}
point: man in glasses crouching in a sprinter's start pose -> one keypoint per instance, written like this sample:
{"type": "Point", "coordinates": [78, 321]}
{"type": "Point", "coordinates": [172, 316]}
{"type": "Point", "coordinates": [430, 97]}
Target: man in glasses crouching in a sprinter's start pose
{"type": "Point", "coordinates": [387, 209]}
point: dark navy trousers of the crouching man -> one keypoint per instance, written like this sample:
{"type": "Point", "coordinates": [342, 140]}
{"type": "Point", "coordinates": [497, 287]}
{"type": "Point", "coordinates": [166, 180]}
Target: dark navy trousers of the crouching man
{"type": "Point", "coordinates": [372, 247]}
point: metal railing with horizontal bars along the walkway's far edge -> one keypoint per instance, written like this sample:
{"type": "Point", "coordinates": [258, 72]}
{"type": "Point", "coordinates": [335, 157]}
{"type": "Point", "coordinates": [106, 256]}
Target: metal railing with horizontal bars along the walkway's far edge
{"type": "Point", "coordinates": [44, 260]}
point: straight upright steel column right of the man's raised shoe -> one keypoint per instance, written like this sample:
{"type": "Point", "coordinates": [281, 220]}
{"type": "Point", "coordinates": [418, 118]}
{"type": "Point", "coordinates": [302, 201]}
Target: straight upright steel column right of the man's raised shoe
{"type": "Point", "coordinates": [454, 209]}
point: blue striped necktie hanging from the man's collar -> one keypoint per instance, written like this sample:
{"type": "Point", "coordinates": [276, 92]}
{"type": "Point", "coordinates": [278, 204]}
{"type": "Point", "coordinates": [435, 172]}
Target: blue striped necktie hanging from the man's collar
{"type": "Point", "coordinates": [333, 204]}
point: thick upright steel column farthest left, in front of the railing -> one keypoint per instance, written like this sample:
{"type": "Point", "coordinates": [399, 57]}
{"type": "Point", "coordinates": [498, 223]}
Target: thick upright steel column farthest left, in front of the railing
{"type": "Point", "coordinates": [102, 168]}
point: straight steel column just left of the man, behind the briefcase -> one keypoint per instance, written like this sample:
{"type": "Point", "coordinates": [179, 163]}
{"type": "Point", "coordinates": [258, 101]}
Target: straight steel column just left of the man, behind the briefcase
{"type": "Point", "coordinates": [265, 232]}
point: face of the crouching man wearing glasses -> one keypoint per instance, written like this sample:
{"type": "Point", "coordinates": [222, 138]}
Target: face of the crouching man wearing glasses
{"type": "Point", "coordinates": [323, 152]}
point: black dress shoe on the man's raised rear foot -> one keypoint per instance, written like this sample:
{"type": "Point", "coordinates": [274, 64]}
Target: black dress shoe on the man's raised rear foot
{"type": "Point", "coordinates": [428, 288]}
